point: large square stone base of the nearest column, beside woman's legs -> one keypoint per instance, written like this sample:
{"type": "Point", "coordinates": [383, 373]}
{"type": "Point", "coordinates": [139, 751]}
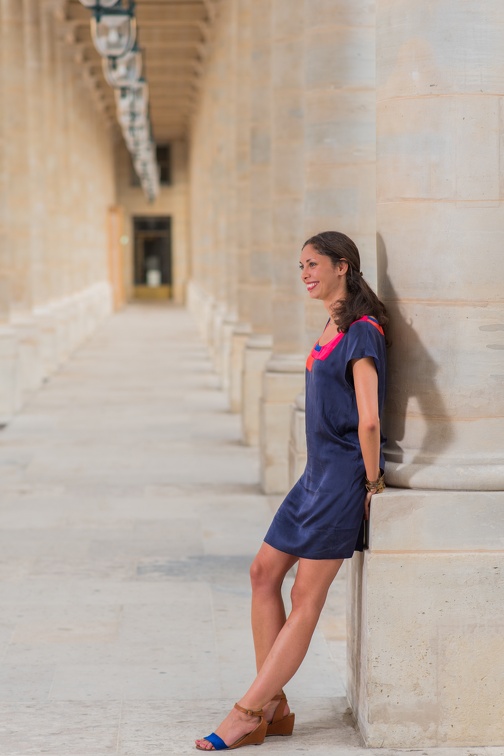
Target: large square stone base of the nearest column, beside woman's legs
{"type": "Point", "coordinates": [426, 621]}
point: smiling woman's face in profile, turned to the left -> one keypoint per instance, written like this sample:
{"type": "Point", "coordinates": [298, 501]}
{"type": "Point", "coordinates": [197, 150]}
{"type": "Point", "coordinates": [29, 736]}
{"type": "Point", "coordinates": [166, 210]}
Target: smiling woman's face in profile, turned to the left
{"type": "Point", "coordinates": [322, 279]}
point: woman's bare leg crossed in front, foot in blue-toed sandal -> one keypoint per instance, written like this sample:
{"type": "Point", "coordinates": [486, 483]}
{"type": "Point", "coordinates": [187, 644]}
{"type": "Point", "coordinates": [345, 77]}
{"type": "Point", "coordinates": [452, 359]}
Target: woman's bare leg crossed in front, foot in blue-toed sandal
{"type": "Point", "coordinates": [309, 593]}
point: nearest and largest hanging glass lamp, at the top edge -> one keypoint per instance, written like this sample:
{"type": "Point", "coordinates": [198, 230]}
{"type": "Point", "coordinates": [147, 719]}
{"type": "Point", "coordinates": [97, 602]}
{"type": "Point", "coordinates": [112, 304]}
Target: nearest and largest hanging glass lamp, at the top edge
{"type": "Point", "coordinates": [113, 30]}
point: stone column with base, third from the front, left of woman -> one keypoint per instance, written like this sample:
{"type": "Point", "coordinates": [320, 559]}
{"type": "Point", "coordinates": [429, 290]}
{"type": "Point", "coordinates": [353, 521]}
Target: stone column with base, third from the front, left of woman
{"type": "Point", "coordinates": [284, 374]}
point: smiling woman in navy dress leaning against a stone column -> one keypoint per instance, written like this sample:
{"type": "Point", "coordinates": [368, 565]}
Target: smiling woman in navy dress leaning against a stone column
{"type": "Point", "coordinates": [320, 522]}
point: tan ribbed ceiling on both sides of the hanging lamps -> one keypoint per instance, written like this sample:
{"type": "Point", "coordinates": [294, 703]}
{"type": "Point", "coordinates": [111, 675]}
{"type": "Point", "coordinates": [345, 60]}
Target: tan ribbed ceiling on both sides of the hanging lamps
{"type": "Point", "coordinates": [173, 36]}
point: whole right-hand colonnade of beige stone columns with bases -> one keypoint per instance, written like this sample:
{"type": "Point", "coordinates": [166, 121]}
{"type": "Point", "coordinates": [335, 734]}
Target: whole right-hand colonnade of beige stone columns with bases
{"type": "Point", "coordinates": [383, 120]}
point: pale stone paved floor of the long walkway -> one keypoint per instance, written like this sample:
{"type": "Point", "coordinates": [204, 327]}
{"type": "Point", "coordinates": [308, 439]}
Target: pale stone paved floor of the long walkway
{"type": "Point", "coordinates": [129, 513]}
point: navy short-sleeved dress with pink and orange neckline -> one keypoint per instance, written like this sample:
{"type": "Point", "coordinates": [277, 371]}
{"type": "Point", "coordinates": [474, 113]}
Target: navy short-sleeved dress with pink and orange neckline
{"type": "Point", "coordinates": [322, 516]}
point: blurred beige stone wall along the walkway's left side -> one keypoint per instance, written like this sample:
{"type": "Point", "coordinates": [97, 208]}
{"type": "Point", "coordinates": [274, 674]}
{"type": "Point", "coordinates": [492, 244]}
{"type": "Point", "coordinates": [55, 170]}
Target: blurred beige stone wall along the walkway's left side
{"type": "Point", "coordinates": [56, 183]}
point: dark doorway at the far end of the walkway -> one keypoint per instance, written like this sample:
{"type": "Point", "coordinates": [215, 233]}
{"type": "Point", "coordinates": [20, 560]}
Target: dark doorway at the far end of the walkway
{"type": "Point", "coordinates": [153, 264]}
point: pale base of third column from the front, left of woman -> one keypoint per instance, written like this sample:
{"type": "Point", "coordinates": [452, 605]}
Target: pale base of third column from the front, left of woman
{"type": "Point", "coordinates": [283, 380]}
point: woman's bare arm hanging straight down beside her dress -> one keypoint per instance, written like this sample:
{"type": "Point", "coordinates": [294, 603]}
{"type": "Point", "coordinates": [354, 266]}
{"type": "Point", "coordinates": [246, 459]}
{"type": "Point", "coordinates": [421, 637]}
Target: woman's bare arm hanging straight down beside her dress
{"type": "Point", "coordinates": [366, 393]}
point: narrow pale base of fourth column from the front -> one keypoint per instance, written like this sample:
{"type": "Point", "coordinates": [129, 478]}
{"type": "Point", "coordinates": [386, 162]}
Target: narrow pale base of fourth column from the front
{"type": "Point", "coordinates": [257, 353]}
